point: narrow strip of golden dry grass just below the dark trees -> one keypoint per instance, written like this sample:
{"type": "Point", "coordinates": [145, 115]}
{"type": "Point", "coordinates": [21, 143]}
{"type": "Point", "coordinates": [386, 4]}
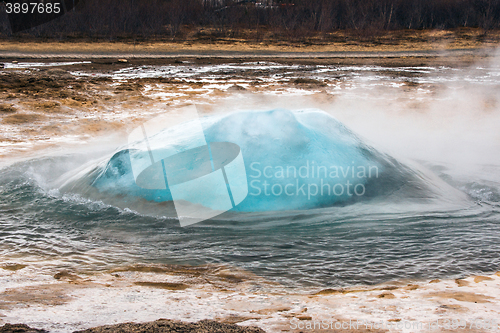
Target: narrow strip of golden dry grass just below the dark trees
{"type": "Point", "coordinates": [394, 41]}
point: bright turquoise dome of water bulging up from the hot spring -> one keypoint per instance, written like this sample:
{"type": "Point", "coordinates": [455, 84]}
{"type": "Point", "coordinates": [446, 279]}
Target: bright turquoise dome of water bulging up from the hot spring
{"type": "Point", "coordinates": [254, 161]}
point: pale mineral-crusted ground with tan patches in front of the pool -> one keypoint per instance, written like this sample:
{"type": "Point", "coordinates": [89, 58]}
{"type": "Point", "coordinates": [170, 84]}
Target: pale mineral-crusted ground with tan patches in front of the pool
{"type": "Point", "coordinates": [107, 299]}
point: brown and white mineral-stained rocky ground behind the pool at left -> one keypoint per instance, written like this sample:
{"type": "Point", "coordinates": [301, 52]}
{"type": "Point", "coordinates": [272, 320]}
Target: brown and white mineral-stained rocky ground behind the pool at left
{"type": "Point", "coordinates": [47, 105]}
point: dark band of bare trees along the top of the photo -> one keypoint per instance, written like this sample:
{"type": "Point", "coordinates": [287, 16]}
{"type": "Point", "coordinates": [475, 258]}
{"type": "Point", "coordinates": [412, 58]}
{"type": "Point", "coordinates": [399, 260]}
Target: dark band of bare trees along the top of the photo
{"type": "Point", "coordinates": [286, 19]}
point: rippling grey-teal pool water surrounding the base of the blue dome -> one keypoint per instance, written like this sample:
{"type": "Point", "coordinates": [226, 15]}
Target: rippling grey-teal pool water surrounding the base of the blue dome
{"type": "Point", "coordinates": [371, 241]}
